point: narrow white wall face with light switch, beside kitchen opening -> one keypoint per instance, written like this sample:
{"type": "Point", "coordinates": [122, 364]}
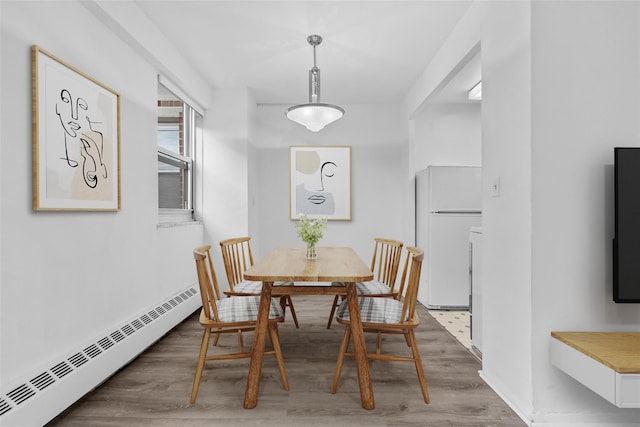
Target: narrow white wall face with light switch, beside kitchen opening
{"type": "Point", "coordinates": [506, 154]}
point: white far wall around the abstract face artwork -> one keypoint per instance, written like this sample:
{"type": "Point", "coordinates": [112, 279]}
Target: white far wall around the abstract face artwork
{"type": "Point", "coordinates": [377, 136]}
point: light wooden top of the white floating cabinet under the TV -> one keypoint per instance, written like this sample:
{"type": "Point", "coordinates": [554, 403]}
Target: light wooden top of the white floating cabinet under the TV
{"type": "Point", "coordinates": [618, 350]}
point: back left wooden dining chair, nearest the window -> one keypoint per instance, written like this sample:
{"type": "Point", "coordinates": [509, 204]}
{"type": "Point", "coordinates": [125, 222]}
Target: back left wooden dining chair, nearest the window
{"type": "Point", "coordinates": [237, 257]}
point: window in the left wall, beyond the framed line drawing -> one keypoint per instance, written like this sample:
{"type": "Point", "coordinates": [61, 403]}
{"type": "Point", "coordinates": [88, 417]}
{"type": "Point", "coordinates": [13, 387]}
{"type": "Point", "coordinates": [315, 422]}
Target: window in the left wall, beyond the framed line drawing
{"type": "Point", "coordinates": [178, 126]}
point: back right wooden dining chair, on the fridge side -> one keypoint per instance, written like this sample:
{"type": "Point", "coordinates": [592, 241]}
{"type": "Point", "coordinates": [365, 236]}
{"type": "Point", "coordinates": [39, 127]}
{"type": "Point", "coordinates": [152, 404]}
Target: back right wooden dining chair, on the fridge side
{"type": "Point", "coordinates": [384, 265]}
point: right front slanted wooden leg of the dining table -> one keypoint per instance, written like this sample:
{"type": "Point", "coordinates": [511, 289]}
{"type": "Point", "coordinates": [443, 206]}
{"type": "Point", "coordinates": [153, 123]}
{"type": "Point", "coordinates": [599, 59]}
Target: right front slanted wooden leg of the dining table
{"type": "Point", "coordinates": [359, 348]}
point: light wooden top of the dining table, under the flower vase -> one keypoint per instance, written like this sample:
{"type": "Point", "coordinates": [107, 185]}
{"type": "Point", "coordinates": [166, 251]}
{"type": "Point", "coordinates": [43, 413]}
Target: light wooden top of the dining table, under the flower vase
{"type": "Point", "coordinates": [289, 264]}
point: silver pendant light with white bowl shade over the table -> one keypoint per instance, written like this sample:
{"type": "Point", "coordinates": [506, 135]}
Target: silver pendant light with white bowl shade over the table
{"type": "Point", "coordinates": [314, 115]}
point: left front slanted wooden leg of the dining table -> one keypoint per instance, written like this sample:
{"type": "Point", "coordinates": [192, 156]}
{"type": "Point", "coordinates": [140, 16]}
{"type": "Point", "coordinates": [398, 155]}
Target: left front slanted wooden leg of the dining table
{"type": "Point", "coordinates": [257, 352]}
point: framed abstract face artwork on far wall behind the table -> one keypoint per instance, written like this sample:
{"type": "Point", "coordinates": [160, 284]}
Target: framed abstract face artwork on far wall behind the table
{"type": "Point", "coordinates": [320, 182]}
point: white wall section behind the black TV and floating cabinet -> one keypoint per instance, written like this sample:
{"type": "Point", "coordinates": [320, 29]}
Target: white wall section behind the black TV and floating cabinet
{"type": "Point", "coordinates": [575, 46]}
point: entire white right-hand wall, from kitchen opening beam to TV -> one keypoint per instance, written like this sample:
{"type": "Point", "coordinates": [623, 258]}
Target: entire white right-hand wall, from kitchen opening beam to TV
{"type": "Point", "coordinates": [547, 263]}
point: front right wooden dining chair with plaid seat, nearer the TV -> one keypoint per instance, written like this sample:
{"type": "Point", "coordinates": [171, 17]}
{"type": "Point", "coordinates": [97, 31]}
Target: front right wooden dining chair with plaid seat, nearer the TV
{"type": "Point", "coordinates": [388, 316]}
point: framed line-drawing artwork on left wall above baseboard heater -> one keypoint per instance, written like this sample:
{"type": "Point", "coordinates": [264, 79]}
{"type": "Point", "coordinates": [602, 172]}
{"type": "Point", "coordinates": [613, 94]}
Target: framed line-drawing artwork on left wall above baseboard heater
{"type": "Point", "coordinates": [76, 138]}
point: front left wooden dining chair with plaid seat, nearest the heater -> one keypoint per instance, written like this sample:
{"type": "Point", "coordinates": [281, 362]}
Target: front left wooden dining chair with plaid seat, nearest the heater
{"type": "Point", "coordinates": [230, 315]}
